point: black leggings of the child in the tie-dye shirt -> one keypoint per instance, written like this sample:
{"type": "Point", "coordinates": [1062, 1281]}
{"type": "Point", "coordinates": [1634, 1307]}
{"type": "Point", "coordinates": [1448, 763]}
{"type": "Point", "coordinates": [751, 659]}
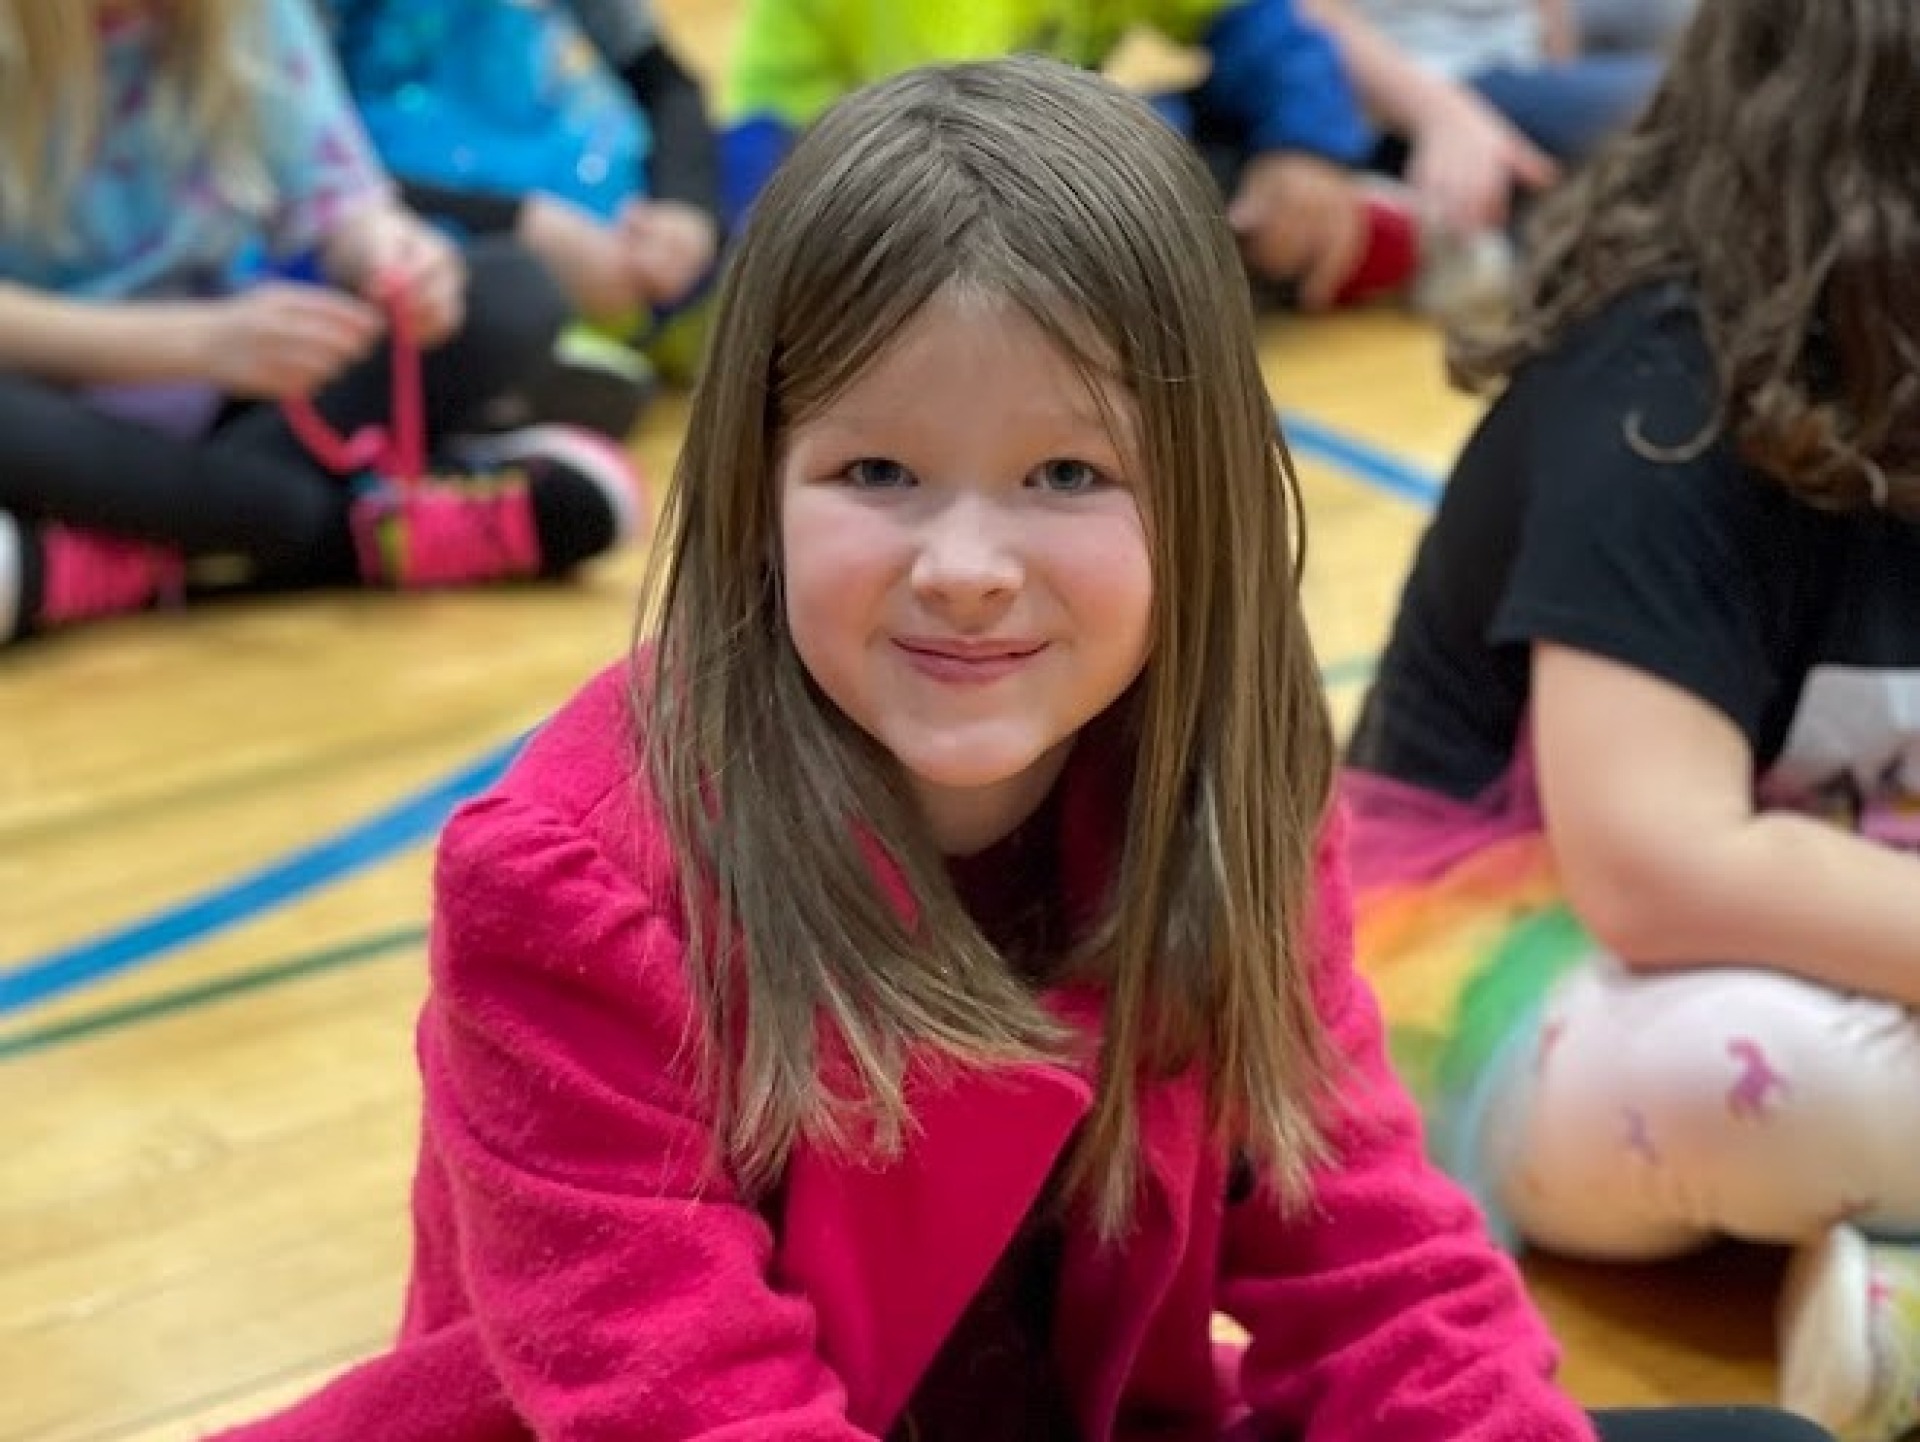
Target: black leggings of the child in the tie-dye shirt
{"type": "Point", "coordinates": [249, 489]}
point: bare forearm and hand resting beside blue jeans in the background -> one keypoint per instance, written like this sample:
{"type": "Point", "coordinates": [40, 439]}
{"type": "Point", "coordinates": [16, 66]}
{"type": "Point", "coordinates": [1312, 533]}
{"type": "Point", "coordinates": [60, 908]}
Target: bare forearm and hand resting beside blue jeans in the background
{"type": "Point", "coordinates": [1464, 156]}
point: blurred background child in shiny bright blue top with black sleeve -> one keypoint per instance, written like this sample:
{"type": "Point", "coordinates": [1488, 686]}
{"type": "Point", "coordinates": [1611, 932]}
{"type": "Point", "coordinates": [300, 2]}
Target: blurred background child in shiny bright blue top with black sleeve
{"type": "Point", "coordinates": [571, 126]}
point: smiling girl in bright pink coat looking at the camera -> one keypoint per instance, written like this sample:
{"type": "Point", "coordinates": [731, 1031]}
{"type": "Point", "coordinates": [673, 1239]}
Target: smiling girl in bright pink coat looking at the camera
{"type": "Point", "coordinates": [917, 997]}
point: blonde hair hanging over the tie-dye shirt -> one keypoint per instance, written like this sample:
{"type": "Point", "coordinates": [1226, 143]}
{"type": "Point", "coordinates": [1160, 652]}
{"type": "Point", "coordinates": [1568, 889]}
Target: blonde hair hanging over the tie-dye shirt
{"type": "Point", "coordinates": [208, 85]}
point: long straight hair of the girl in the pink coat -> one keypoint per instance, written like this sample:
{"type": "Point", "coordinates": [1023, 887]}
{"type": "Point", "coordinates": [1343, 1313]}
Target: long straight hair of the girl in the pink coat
{"type": "Point", "coordinates": [1061, 195]}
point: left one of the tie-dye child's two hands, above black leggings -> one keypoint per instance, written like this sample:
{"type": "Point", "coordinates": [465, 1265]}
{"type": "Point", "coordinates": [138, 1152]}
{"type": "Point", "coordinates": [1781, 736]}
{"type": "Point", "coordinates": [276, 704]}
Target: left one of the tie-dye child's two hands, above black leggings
{"type": "Point", "coordinates": [279, 341]}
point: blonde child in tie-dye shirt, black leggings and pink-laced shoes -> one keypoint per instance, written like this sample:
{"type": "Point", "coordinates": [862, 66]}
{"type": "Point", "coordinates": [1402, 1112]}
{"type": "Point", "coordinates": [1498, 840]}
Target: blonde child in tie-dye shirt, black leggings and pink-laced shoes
{"type": "Point", "coordinates": [166, 176]}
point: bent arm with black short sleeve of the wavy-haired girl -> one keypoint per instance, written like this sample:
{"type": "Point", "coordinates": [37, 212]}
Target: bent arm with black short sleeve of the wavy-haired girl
{"type": "Point", "coordinates": [1654, 589]}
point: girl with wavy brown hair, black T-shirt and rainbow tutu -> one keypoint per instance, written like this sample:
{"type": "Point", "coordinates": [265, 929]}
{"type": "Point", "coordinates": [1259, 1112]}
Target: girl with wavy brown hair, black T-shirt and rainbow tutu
{"type": "Point", "coordinates": [1660, 663]}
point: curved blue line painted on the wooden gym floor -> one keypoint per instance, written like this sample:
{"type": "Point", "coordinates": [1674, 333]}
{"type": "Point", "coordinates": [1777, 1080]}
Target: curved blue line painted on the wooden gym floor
{"type": "Point", "coordinates": [420, 817]}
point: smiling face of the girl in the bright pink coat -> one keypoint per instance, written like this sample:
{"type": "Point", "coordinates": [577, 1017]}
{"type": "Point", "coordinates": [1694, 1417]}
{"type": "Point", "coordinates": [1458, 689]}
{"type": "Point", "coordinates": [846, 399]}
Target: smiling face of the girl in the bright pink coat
{"type": "Point", "coordinates": [967, 567]}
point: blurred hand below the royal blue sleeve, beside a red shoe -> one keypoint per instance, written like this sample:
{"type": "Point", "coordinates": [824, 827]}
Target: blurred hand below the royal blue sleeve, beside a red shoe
{"type": "Point", "coordinates": [1301, 220]}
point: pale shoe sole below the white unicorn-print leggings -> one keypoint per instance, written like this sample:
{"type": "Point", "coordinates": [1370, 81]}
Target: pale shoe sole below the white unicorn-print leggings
{"type": "Point", "coordinates": [1827, 1353]}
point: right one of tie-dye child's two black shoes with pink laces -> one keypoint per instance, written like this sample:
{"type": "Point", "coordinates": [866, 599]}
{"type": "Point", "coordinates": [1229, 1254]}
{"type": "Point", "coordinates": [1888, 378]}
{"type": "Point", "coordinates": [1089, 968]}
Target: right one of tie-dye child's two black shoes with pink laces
{"type": "Point", "coordinates": [525, 504]}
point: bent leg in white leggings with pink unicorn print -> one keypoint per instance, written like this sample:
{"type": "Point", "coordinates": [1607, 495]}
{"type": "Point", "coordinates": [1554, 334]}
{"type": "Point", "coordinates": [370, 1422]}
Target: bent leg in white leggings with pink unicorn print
{"type": "Point", "coordinates": [1660, 1111]}
